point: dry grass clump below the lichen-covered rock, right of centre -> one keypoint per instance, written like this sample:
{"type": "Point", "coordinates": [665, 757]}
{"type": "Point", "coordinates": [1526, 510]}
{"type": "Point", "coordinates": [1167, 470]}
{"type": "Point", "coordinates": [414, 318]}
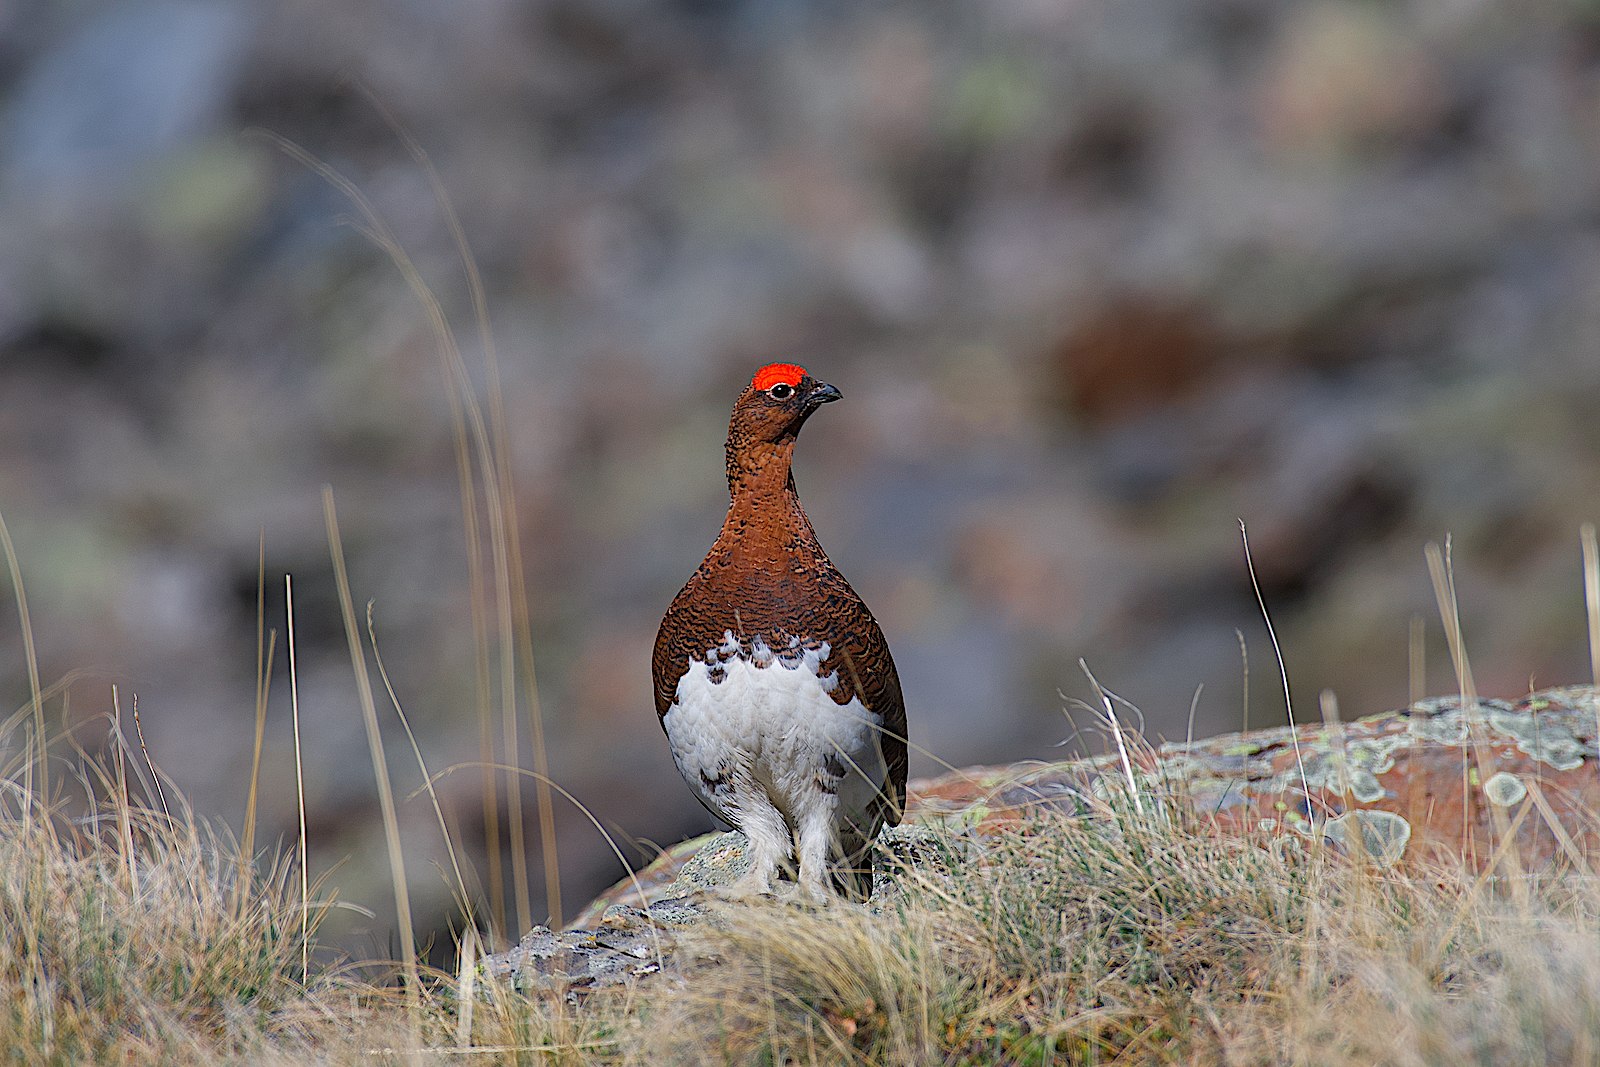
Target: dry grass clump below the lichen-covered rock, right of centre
{"type": "Point", "coordinates": [1135, 938]}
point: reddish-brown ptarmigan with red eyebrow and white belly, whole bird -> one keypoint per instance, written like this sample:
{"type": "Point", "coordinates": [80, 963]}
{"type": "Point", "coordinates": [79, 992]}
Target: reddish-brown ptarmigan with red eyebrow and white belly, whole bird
{"type": "Point", "coordinates": [774, 681]}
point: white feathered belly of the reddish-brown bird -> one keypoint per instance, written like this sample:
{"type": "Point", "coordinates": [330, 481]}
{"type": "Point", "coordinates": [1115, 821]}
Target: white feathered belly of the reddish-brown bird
{"type": "Point", "coordinates": [764, 732]}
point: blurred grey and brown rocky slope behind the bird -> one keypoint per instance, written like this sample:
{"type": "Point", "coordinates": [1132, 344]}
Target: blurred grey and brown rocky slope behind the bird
{"type": "Point", "coordinates": [1097, 279]}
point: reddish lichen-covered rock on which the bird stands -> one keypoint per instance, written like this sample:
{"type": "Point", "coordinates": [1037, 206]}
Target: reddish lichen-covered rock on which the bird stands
{"type": "Point", "coordinates": [1444, 778]}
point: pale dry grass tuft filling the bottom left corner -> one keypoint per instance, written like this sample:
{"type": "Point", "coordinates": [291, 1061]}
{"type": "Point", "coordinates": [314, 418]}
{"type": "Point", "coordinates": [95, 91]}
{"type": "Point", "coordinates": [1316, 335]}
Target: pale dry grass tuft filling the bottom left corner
{"type": "Point", "coordinates": [142, 937]}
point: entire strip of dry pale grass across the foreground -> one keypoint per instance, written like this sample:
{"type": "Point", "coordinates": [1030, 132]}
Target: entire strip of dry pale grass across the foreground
{"type": "Point", "coordinates": [138, 937]}
